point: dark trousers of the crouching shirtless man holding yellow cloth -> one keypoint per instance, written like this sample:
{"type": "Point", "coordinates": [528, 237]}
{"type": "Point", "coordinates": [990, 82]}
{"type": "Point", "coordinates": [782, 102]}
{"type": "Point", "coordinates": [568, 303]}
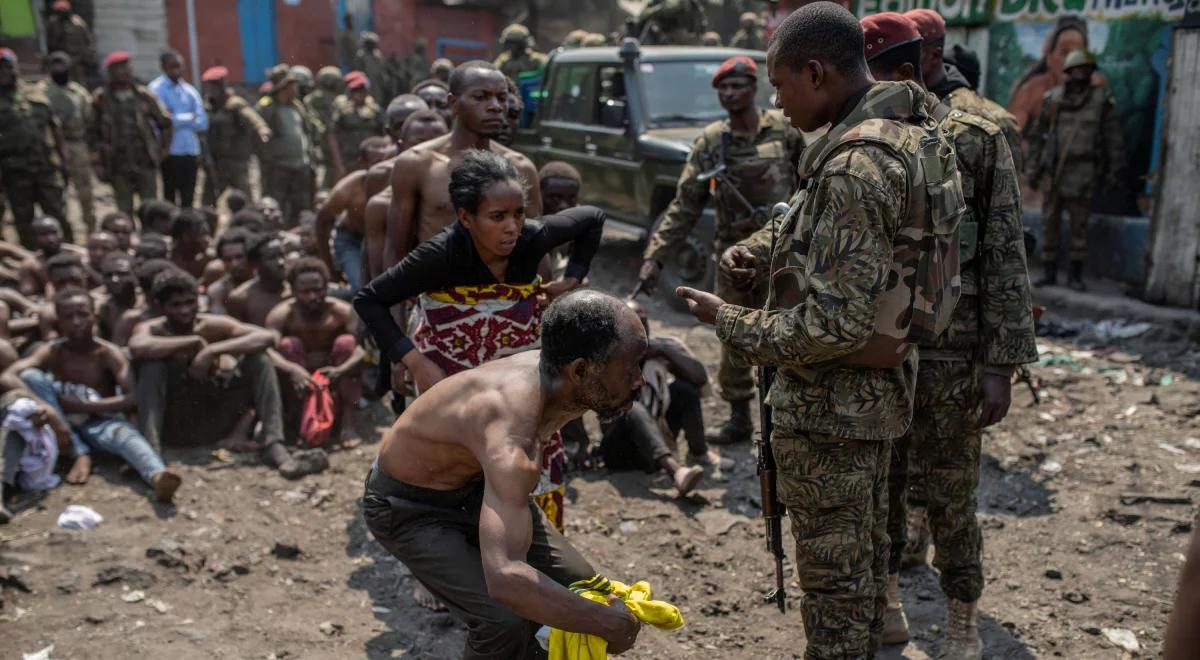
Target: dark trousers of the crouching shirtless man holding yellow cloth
{"type": "Point", "coordinates": [436, 535]}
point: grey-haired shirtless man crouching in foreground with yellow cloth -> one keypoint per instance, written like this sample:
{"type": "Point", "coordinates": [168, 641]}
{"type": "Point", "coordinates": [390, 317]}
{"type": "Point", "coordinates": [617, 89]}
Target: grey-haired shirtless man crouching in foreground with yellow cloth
{"type": "Point", "coordinates": [457, 470]}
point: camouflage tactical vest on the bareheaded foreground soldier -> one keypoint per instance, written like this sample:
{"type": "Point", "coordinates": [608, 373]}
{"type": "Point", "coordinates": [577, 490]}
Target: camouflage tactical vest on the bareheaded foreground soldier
{"type": "Point", "coordinates": [925, 284]}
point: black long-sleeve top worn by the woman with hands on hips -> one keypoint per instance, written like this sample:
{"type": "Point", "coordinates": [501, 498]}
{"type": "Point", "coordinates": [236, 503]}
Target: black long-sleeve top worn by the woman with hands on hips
{"type": "Point", "coordinates": [451, 260]}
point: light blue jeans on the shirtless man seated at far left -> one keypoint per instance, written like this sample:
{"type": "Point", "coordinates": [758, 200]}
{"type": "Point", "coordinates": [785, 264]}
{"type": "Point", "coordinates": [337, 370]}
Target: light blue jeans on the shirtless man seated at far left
{"type": "Point", "coordinates": [110, 435]}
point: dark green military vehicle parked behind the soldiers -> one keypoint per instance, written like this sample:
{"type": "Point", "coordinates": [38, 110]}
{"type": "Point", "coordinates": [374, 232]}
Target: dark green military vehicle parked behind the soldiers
{"type": "Point", "coordinates": [627, 118]}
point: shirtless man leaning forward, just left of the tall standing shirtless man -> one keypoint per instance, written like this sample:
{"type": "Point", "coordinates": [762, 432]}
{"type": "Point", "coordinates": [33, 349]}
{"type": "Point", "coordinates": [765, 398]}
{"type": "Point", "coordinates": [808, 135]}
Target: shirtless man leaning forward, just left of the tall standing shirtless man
{"type": "Point", "coordinates": [346, 206]}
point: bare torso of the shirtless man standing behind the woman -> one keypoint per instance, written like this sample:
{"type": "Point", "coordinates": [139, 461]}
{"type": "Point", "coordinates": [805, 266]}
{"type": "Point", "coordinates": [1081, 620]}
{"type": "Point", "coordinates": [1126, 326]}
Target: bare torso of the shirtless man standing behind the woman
{"type": "Point", "coordinates": [421, 184]}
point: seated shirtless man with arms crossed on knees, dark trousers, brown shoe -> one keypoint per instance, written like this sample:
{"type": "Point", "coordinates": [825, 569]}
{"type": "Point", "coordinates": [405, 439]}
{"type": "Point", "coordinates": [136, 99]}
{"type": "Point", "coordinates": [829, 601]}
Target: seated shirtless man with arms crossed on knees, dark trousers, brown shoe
{"type": "Point", "coordinates": [199, 374]}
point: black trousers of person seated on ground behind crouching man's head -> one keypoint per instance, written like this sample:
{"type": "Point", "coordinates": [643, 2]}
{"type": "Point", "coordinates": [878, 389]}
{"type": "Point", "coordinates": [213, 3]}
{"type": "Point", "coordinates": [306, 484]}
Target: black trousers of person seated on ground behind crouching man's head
{"type": "Point", "coordinates": [635, 441]}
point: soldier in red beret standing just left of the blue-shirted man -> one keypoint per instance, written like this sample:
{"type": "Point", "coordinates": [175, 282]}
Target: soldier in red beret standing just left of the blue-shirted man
{"type": "Point", "coordinates": [133, 134]}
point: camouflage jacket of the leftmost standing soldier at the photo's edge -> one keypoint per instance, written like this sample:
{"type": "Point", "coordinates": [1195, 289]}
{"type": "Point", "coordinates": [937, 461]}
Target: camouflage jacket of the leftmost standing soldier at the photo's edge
{"type": "Point", "coordinates": [27, 131]}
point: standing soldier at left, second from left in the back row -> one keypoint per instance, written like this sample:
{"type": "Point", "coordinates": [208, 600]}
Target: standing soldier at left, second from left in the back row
{"type": "Point", "coordinates": [73, 107]}
